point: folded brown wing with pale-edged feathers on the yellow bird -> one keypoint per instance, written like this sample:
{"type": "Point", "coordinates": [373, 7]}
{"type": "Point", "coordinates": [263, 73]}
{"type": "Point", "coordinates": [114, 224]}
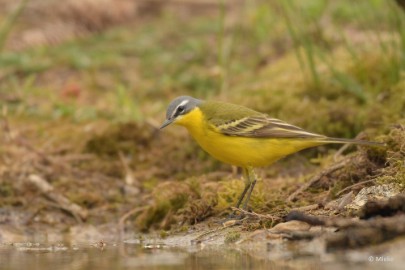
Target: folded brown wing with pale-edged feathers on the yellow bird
{"type": "Point", "coordinates": [264, 127]}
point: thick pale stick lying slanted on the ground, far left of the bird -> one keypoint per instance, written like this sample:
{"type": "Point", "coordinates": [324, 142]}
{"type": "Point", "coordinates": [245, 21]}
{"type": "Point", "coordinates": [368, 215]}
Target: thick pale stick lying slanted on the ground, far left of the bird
{"type": "Point", "coordinates": [48, 191]}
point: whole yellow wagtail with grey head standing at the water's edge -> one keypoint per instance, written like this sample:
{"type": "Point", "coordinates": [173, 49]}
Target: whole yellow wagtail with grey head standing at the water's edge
{"type": "Point", "coordinates": [242, 137]}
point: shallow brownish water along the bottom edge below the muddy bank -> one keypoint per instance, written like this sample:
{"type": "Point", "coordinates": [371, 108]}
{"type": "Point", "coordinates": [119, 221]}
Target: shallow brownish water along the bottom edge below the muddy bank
{"type": "Point", "coordinates": [136, 255]}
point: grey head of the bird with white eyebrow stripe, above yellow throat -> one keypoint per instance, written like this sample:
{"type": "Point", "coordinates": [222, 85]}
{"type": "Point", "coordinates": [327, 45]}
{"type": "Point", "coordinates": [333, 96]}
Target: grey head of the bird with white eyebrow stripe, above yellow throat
{"type": "Point", "coordinates": [178, 108]}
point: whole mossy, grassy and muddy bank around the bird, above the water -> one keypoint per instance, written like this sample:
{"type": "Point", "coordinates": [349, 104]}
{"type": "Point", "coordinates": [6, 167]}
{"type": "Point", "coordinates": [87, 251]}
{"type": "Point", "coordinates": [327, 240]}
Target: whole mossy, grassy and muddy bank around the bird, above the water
{"type": "Point", "coordinates": [83, 94]}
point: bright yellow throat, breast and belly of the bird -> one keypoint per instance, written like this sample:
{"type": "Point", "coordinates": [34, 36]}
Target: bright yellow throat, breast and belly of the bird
{"type": "Point", "coordinates": [239, 151]}
